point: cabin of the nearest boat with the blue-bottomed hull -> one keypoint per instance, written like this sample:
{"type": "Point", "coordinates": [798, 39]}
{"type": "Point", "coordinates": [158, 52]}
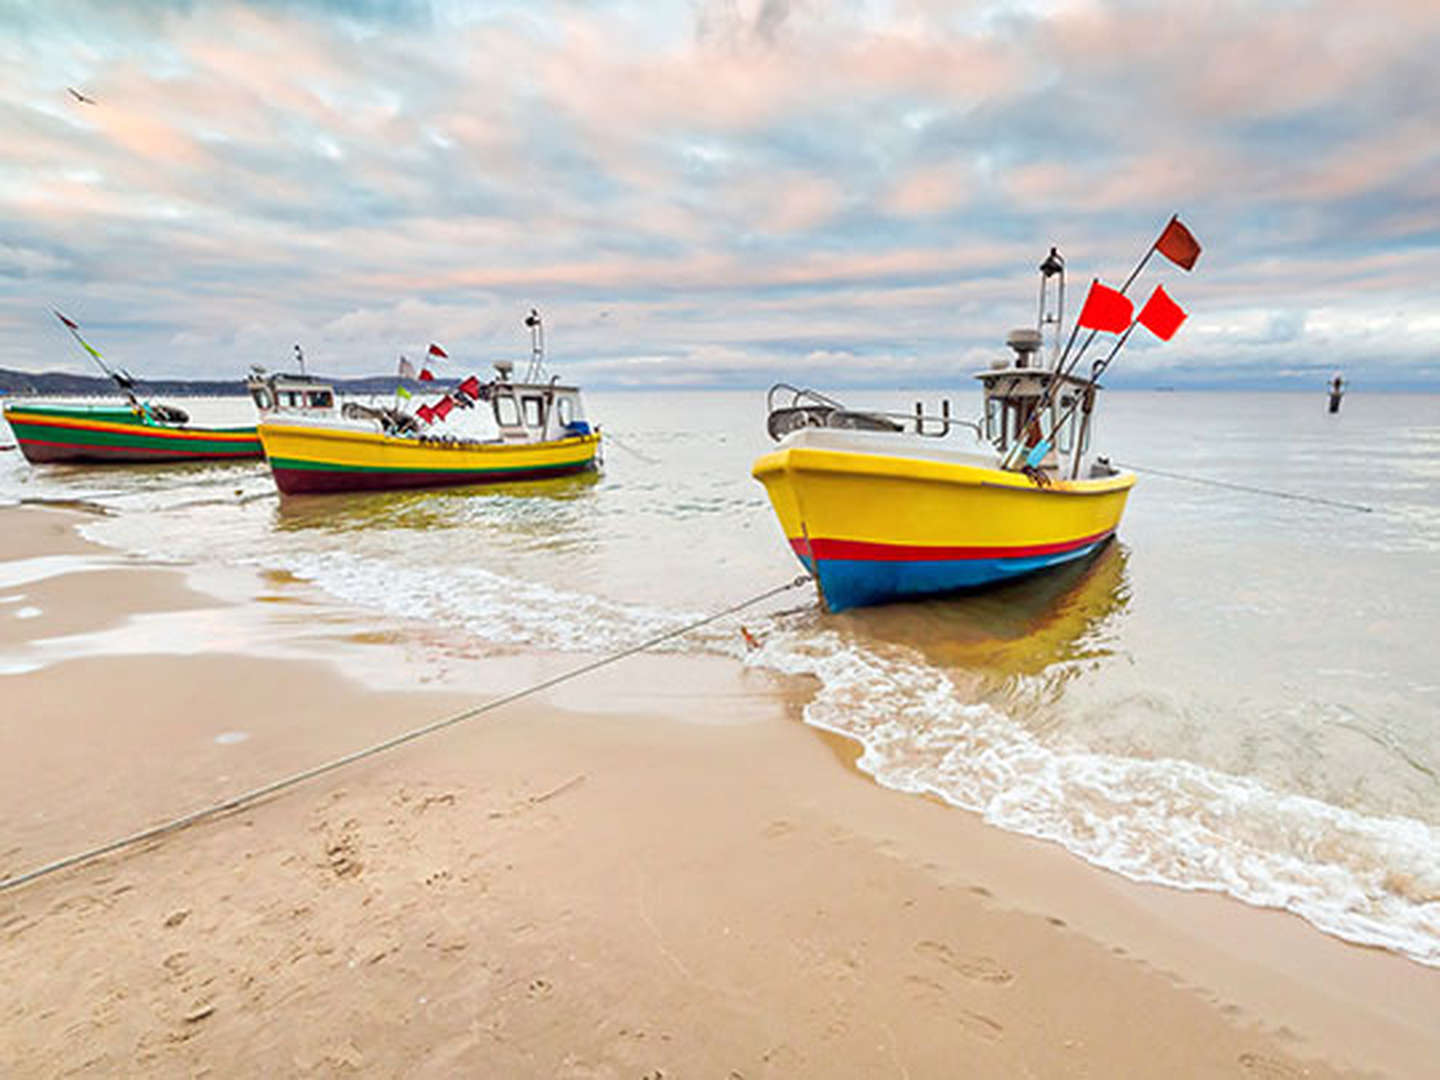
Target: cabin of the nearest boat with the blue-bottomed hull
{"type": "Point", "coordinates": [1014, 392]}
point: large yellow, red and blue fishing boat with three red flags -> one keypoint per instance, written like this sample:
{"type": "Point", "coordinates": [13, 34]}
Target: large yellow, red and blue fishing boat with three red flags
{"type": "Point", "coordinates": [889, 506]}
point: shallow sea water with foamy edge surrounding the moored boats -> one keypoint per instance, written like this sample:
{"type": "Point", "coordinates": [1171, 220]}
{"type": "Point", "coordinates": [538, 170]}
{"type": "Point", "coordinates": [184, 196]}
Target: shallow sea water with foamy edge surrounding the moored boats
{"type": "Point", "coordinates": [1242, 695]}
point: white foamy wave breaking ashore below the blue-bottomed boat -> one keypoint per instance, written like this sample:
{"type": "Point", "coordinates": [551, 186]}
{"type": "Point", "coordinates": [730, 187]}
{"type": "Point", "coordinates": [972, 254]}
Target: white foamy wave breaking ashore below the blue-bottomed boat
{"type": "Point", "coordinates": [1164, 822]}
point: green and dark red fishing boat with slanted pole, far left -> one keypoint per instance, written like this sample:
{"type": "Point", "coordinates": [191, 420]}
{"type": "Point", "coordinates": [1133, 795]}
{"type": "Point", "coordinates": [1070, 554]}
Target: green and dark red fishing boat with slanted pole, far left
{"type": "Point", "coordinates": [132, 433]}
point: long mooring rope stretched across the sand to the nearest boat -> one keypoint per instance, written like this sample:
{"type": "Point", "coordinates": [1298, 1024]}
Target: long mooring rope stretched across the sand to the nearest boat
{"type": "Point", "coordinates": [244, 798]}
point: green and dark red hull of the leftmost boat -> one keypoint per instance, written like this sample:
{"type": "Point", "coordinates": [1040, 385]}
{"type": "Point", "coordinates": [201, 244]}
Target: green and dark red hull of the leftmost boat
{"type": "Point", "coordinates": [119, 437]}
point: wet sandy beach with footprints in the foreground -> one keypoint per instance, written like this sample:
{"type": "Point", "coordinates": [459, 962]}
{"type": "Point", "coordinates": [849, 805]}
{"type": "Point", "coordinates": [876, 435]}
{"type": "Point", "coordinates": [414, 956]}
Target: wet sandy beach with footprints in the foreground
{"type": "Point", "coordinates": [654, 872]}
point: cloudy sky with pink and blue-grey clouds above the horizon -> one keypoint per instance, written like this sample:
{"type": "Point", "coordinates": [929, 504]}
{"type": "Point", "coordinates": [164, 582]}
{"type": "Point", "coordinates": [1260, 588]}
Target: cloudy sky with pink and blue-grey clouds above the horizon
{"type": "Point", "coordinates": [716, 192]}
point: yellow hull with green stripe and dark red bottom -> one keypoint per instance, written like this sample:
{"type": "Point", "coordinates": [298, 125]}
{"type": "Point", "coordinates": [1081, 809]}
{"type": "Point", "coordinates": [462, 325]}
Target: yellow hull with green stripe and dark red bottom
{"type": "Point", "coordinates": [315, 460]}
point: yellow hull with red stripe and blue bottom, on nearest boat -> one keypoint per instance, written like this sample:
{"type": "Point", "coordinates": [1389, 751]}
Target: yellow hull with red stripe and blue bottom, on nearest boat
{"type": "Point", "coordinates": [879, 528]}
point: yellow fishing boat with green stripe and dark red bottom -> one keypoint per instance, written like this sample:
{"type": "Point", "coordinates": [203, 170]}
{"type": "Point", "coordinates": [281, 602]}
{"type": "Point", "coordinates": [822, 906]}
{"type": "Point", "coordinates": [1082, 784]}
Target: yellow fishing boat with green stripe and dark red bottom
{"type": "Point", "coordinates": [316, 446]}
